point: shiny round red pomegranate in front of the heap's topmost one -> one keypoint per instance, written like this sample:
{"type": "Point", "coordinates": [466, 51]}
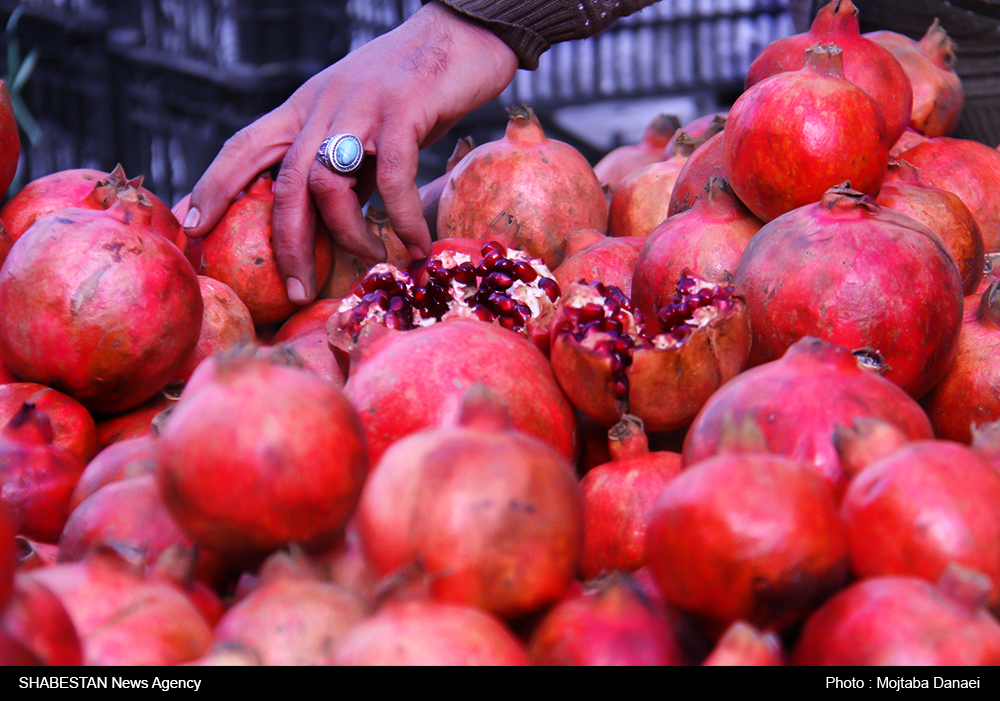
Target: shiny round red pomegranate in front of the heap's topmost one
{"type": "Point", "coordinates": [793, 136]}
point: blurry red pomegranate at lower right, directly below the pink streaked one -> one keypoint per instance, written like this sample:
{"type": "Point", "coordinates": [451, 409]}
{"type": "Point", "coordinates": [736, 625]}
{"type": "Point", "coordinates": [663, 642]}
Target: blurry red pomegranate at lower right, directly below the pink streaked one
{"type": "Point", "coordinates": [767, 549]}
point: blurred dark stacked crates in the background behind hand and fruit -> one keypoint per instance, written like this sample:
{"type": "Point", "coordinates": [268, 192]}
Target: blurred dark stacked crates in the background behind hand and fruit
{"type": "Point", "coordinates": [159, 85]}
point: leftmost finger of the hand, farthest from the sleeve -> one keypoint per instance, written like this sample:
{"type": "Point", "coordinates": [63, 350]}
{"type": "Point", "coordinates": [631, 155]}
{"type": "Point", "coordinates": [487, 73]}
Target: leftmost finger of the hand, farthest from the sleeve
{"type": "Point", "coordinates": [248, 152]}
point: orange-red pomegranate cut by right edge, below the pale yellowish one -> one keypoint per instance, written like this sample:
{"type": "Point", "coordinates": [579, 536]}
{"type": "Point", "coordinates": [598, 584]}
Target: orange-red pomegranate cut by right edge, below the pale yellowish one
{"type": "Point", "coordinates": [968, 169]}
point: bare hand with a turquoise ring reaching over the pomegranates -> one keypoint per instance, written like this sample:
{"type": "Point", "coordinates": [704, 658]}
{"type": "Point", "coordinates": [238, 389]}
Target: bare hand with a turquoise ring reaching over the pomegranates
{"type": "Point", "coordinates": [397, 93]}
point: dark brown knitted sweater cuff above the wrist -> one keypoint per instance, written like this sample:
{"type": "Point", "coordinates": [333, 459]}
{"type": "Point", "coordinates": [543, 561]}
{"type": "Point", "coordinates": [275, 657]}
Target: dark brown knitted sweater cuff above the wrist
{"type": "Point", "coordinates": [529, 27]}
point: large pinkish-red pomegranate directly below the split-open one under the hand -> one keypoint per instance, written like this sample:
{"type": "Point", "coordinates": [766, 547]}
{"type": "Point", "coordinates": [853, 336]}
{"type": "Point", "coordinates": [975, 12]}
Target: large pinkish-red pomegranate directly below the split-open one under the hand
{"type": "Point", "coordinates": [416, 381]}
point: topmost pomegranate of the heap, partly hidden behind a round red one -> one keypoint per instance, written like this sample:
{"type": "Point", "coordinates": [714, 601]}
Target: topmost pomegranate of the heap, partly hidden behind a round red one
{"type": "Point", "coordinates": [866, 64]}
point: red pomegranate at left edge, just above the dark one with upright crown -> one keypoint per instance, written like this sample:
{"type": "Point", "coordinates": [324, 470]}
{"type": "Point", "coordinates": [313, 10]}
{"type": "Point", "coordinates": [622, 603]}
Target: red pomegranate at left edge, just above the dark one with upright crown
{"type": "Point", "coordinates": [72, 426]}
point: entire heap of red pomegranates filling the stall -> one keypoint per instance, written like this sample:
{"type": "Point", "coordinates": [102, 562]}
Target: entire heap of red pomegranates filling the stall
{"type": "Point", "coordinates": [734, 408]}
